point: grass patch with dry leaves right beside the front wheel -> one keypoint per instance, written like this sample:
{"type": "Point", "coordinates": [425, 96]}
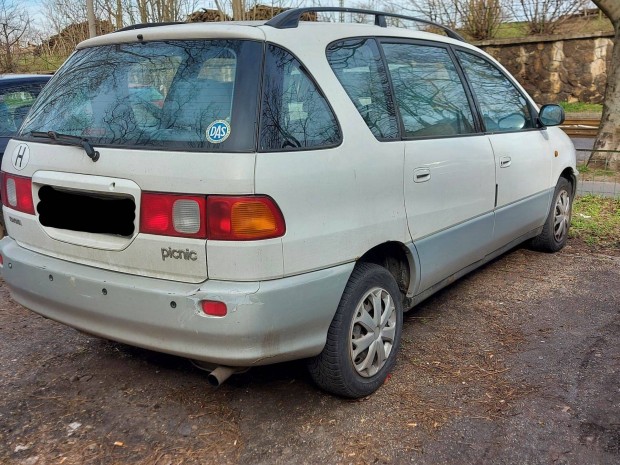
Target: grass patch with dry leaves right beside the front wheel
{"type": "Point", "coordinates": [596, 221]}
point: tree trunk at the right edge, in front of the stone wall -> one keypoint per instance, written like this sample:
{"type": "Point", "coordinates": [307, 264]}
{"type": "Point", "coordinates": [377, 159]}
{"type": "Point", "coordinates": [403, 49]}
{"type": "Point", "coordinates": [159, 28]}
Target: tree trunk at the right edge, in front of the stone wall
{"type": "Point", "coordinates": [608, 137]}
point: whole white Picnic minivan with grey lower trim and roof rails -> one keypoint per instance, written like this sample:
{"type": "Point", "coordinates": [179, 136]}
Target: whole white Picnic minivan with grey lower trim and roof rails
{"type": "Point", "coordinates": [250, 193]}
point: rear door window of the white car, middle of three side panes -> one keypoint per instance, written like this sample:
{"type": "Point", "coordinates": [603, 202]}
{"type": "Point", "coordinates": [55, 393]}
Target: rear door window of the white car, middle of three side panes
{"type": "Point", "coordinates": [429, 93]}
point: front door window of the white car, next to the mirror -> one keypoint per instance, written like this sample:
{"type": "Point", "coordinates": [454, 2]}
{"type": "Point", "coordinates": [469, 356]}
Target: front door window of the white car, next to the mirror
{"type": "Point", "coordinates": [502, 106]}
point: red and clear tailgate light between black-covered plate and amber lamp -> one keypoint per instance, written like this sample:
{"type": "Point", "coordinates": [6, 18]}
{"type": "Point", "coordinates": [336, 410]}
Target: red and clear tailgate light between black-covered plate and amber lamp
{"type": "Point", "coordinates": [173, 215]}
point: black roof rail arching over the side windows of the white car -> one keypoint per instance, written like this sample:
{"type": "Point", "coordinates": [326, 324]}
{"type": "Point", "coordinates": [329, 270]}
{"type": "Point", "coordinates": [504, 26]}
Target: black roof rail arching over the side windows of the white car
{"type": "Point", "coordinates": [290, 18]}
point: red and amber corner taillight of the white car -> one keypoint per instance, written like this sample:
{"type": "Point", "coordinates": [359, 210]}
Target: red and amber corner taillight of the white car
{"type": "Point", "coordinates": [243, 218]}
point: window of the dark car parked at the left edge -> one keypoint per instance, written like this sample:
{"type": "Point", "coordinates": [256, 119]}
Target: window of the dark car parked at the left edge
{"type": "Point", "coordinates": [15, 101]}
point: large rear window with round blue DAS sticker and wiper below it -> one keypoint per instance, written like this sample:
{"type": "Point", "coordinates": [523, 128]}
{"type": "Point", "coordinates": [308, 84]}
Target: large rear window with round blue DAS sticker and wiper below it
{"type": "Point", "coordinates": [196, 95]}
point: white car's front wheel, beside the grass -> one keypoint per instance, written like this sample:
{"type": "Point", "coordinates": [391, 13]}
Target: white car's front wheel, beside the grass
{"type": "Point", "coordinates": [555, 231]}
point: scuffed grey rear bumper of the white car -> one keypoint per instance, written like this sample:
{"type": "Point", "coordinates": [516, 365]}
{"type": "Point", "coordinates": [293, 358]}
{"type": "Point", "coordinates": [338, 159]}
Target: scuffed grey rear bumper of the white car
{"type": "Point", "coordinates": [267, 322]}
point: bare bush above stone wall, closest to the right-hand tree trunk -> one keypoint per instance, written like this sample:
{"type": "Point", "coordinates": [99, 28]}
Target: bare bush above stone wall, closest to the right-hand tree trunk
{"type": "Point", "coordinates": [545, 16]}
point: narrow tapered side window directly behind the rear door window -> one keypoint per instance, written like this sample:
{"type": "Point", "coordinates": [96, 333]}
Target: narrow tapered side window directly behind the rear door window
{"type": "Point", "coordinates": [358, 66]}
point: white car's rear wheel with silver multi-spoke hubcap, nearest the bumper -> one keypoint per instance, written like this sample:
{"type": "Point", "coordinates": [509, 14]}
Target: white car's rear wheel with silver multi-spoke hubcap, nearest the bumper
{"type": "Point", "coordinates": [338, 369]}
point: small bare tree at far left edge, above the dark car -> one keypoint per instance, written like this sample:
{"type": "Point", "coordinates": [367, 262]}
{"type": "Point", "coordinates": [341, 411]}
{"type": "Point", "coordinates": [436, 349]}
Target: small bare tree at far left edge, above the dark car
{"type": "Point", "coordinates": [14, 25]}
